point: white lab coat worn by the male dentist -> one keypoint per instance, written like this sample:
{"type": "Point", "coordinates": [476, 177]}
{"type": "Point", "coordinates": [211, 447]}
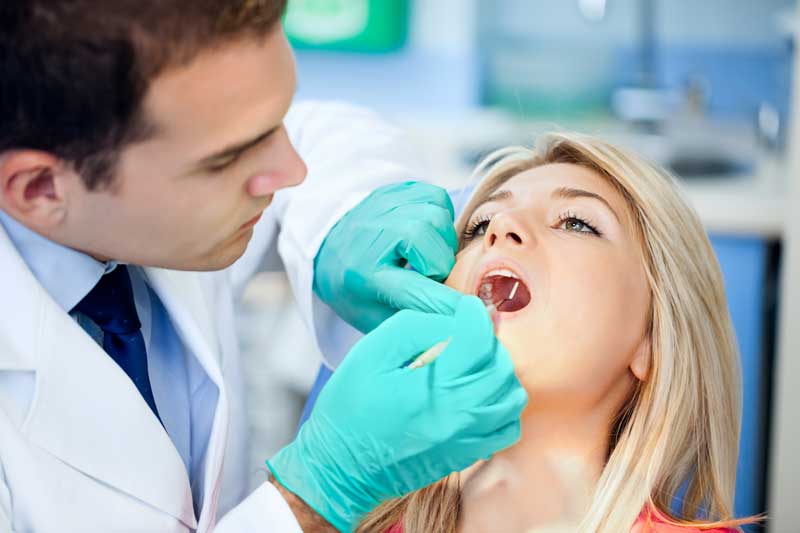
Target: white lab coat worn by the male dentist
{"type": "Point", "coordinates": [80, 450]}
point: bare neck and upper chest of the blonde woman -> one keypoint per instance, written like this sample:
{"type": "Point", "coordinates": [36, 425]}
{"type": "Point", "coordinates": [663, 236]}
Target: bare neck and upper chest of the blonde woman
{"type": "Point", "coordinates": [542, 483]}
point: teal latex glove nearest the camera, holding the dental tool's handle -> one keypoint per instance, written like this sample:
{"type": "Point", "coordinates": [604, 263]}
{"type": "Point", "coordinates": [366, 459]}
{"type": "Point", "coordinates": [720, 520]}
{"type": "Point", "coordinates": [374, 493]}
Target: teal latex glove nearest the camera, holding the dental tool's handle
{"type": "Point", "coordinates": [380, 430]}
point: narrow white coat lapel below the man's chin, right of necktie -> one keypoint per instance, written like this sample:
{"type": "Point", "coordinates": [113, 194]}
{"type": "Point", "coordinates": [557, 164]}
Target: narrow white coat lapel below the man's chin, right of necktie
{"type": "Point", "coordinates": [190, 304]}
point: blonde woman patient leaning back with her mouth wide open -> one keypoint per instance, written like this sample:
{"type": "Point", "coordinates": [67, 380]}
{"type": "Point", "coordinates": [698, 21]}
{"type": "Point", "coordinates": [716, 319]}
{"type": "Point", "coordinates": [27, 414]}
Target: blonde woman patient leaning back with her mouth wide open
{"type": "Point", "coordinates": [611, 304]}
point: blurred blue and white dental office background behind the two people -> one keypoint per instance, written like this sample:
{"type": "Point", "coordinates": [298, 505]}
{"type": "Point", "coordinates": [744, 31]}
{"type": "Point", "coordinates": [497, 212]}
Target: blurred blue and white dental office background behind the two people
{"type": "Point", "coordinates": [704, 88]}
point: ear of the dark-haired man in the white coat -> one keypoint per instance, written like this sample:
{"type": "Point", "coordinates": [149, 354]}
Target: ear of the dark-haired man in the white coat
{"type": "Point", "coordinates": [31, 188]}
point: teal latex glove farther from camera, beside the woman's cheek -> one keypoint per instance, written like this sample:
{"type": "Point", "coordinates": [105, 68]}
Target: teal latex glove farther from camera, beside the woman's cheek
{"type": "Point", "coordinates": [359, 269]}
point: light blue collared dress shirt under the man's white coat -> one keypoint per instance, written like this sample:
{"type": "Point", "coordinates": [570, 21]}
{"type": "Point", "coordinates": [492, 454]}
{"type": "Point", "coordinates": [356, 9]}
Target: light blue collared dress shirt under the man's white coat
{"type": "Point", "coordinates": [177, 380]}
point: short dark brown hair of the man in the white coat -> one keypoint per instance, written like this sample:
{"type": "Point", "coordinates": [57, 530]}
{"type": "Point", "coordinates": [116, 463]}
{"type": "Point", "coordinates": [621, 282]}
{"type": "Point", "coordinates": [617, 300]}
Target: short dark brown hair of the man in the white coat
{"type": "Point", "coordinates": [73, 73]}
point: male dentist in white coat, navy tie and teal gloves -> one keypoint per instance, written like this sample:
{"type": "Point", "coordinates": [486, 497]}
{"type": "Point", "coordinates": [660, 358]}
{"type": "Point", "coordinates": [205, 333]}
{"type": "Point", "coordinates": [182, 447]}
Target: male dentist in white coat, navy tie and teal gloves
{"type": "Point", "coordinates": [150, 162]}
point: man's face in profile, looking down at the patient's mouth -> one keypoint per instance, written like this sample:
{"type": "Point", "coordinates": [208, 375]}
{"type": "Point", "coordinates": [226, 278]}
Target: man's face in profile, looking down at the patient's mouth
{"type": "Point", "coordinates": [188, 197]}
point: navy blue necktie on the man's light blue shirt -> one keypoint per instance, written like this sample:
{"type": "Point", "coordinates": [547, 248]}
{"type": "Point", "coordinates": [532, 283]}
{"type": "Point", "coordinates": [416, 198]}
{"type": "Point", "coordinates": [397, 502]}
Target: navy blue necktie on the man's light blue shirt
{"type": "Point", "coordinates": [110, 305]}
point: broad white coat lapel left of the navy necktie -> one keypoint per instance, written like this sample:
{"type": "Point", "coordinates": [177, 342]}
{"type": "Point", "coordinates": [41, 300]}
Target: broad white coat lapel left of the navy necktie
{"type": "Point", "coordinates": [86, 411]}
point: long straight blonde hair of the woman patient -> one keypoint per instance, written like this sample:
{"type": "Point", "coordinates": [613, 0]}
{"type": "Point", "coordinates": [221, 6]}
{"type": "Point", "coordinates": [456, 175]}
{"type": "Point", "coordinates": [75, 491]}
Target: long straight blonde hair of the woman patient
{"type": "Point", "coordinates": [681, 426]}
